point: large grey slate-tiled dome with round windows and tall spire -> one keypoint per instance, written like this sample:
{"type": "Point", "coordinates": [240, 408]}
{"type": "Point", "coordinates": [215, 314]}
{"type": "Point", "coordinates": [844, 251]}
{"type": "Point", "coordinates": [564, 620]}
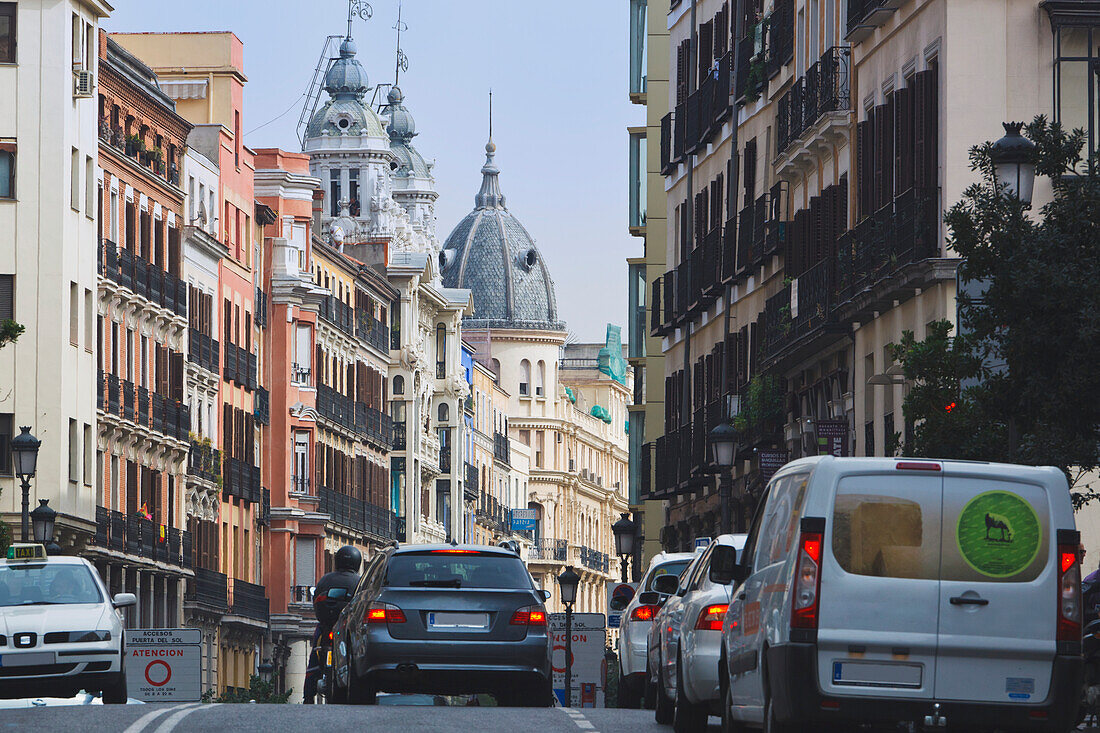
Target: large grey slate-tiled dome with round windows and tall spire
{"type": "Point", "coordinates": [492, 255]}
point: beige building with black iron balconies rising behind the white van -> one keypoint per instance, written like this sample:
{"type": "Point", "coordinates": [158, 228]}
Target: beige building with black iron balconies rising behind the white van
{"type": "Point", "coordinates": [822, 213]}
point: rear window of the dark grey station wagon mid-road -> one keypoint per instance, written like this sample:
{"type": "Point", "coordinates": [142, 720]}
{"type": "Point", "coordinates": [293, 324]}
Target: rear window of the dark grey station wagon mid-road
{"type": "Point", "coordinates": [448, 570]}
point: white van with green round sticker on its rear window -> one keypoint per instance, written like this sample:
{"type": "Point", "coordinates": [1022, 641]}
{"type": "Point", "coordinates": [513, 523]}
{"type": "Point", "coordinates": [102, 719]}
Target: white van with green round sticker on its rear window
{"type": "Point", "coordinates": [945, 594]}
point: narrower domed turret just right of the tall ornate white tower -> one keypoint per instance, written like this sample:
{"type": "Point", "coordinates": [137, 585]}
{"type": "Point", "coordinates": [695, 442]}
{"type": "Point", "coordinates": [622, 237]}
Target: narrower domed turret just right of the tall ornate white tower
{"type": "Point", "coordinates": [414, 187]}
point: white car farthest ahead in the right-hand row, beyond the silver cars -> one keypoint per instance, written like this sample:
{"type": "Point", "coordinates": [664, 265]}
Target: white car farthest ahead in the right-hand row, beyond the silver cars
{"type": "Point", "coordinates": [637, 620]}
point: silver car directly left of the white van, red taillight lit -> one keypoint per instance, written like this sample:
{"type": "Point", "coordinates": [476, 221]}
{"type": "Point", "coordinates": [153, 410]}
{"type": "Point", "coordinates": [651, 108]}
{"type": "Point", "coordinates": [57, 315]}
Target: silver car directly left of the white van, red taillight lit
{"type": "Point", "coordinates": [690, 637]}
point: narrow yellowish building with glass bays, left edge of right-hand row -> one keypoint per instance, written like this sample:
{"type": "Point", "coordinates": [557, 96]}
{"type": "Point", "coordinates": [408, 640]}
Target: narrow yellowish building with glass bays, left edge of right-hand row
{"type": "Point", "coordinates": [648, 87]}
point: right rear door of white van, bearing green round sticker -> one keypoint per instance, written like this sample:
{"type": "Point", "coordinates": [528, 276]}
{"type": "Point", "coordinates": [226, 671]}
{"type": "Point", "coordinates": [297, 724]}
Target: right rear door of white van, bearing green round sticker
{"type": "Point", "coordinates": [998, 596]}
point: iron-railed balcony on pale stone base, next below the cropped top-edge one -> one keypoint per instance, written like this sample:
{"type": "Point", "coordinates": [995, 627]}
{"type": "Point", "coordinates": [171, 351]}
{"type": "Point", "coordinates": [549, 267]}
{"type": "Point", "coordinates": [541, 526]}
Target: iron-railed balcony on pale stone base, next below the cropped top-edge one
{"type": "Point", "coordinates": [815, 110]}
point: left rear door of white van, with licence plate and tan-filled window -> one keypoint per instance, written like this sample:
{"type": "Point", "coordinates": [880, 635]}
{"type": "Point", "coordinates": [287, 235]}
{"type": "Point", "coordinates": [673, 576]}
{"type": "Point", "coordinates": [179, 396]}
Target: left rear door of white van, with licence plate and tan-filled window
{"type": "Point", "coordinates": [881, 588]}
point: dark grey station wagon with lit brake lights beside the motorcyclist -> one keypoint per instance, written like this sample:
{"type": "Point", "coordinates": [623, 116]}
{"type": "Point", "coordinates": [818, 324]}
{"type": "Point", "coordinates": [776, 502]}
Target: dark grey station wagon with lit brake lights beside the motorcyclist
{"type": "Point", "coordinates": [445, 620]}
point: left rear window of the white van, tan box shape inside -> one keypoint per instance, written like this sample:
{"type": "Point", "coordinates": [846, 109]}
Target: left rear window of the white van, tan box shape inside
{"type": "Point", "coordinates": [886, 537]}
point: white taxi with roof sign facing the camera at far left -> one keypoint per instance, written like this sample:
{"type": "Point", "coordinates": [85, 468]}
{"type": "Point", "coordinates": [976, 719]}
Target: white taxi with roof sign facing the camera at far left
{"type": "Point", "coordinates": [60, 630]}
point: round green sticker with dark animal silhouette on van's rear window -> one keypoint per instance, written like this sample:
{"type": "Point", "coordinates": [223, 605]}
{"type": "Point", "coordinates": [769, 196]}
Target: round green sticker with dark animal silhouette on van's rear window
{"type": "Point", "coordinates": [999, 534]}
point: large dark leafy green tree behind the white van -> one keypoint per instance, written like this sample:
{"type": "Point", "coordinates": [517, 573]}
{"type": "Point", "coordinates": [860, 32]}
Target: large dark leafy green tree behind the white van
{"type": "Point", "coordinates": [1022, 373]}
